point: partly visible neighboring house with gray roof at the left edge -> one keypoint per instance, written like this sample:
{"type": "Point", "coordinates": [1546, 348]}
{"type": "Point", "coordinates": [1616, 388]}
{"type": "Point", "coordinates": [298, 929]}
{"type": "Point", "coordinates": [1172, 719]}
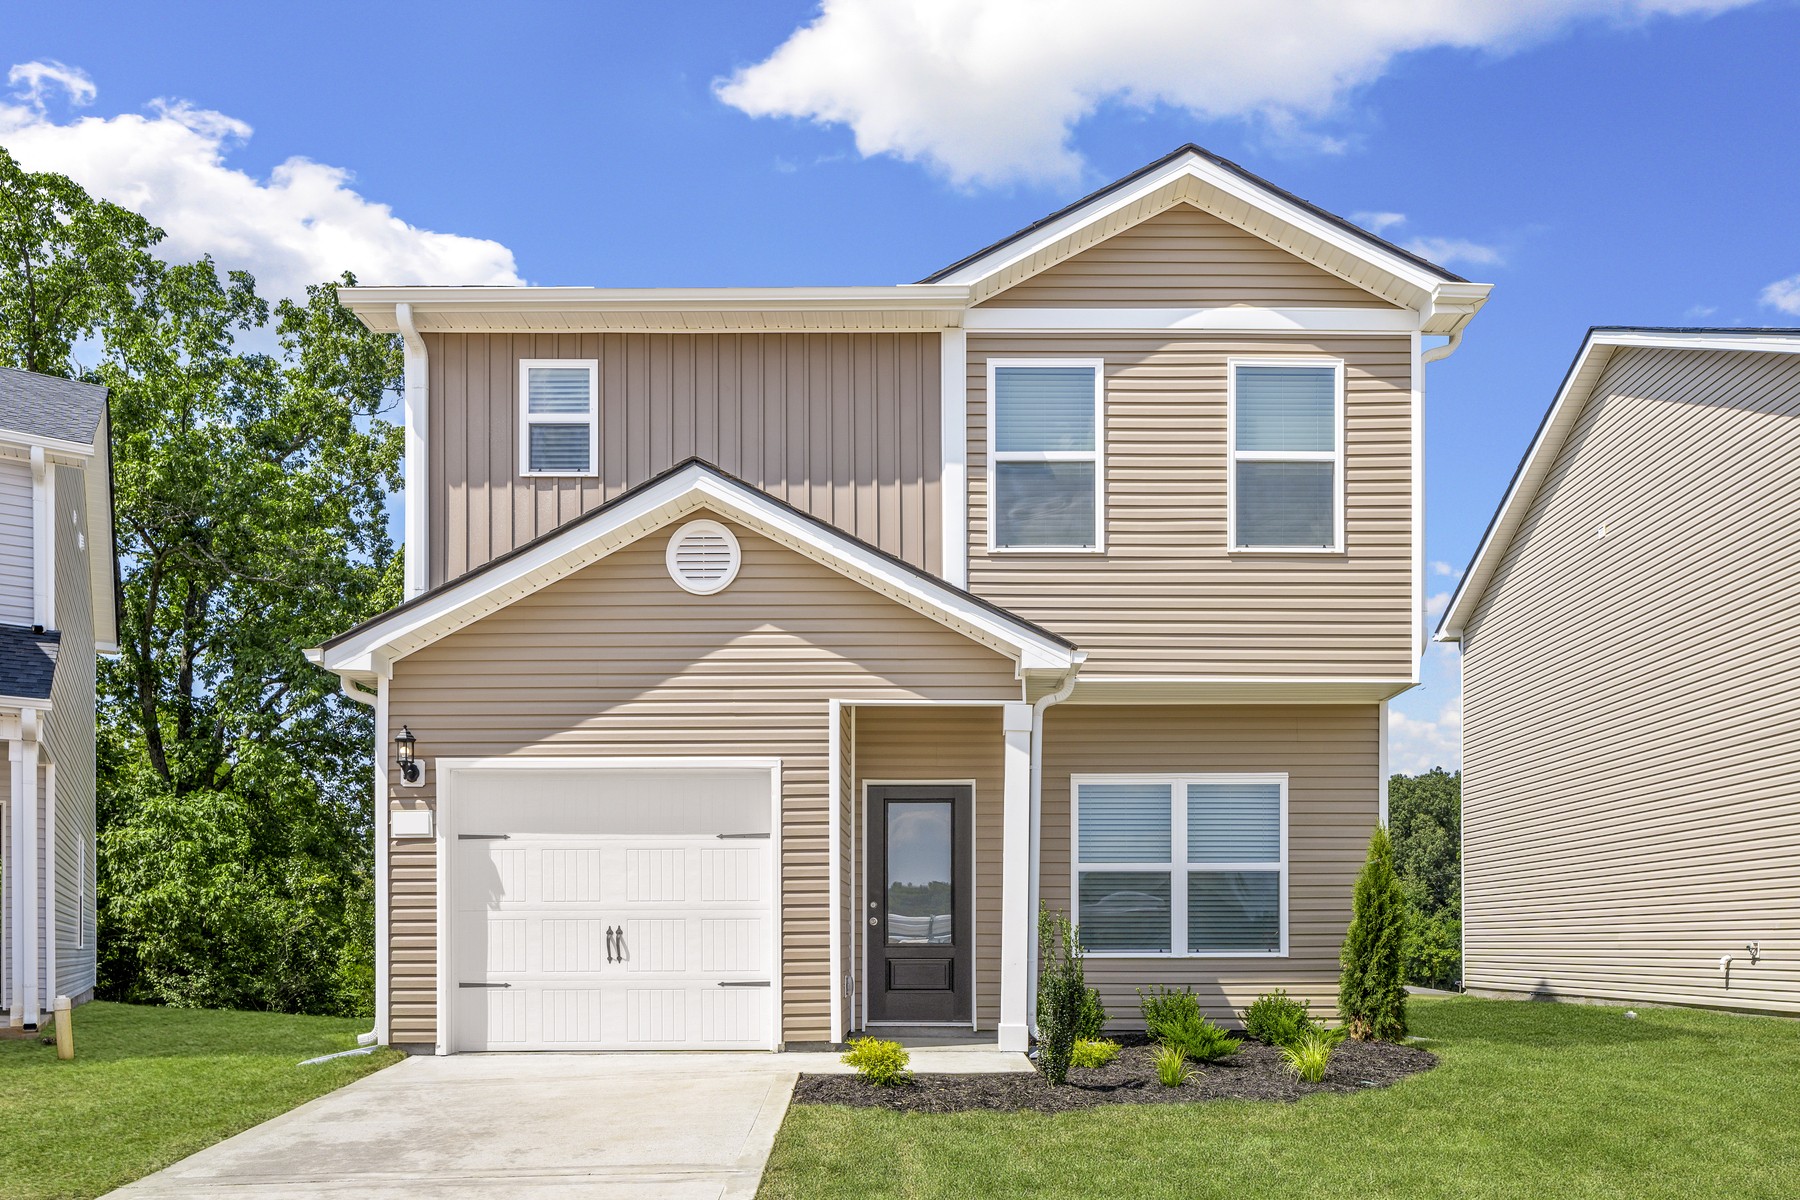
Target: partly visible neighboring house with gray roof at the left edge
{"type": "Point", "coordinates": [57, 614]}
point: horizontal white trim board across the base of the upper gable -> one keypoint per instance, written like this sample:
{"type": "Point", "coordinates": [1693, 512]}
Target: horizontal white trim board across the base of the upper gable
{"type": "Point", "coordinates": [1212, 319]}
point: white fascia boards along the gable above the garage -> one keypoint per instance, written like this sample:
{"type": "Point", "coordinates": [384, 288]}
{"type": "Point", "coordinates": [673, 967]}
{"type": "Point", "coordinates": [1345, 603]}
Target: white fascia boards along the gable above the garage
{"type": "Point", "coordinates": [679, 494]}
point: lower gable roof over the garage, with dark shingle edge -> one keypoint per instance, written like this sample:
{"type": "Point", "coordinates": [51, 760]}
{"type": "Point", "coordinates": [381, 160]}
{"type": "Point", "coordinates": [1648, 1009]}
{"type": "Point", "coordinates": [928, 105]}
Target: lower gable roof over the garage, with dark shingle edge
{"type": "Point", "coordinates": [651, 506]}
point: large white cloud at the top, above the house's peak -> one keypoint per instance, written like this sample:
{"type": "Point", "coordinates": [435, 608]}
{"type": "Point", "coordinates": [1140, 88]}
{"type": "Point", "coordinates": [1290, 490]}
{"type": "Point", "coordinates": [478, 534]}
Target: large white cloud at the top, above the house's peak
{"type": "Point", "coordinates": [991, 91]}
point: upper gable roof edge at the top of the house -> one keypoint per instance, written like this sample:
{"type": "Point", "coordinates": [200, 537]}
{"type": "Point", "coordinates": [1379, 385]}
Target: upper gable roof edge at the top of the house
{"type": "Point", "coordinates": [1228, 192]}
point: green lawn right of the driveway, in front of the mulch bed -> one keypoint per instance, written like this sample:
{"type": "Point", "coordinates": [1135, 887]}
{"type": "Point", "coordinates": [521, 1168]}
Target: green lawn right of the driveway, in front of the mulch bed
{"type": "Point", "coordinates": [1529, 1100]}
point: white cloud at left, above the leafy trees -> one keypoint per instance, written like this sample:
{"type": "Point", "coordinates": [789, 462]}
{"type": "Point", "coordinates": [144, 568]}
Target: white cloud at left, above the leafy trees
{"type": "Point", "coordinates": [303, 224]}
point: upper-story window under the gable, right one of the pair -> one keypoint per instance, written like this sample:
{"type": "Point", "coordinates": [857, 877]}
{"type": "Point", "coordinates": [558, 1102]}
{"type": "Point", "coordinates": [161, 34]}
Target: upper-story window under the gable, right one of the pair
{"type": "Point", "coordinates": [1288, 465]}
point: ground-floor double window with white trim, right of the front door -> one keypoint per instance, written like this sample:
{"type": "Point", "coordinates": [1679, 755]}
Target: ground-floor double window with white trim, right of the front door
{"type": "Point", "coordinates": [1185, 866]}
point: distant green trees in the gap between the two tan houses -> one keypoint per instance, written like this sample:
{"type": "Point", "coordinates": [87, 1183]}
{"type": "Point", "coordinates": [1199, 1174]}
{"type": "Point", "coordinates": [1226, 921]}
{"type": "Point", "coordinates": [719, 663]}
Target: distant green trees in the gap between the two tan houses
{"type": "Point", "coordinates": [1425, 816]}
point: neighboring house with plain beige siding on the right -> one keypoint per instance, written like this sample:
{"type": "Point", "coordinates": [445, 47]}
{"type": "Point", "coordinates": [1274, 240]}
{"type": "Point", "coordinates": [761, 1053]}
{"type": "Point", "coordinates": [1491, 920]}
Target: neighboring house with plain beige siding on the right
{"type": "Point", "coordinates": [1632, 731]}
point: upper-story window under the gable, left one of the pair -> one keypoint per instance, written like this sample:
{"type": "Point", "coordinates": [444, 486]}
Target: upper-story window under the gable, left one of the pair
{"type": "Point", "coordinates": [1045, 454]}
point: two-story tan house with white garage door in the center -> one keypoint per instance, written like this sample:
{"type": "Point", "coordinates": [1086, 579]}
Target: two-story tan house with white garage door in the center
{"type": "Point", "coordinates": [771, 654]}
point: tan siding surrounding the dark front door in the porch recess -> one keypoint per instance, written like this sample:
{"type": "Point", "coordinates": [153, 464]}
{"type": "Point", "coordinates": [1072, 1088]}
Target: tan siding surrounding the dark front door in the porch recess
{"type": "Point", "coordinates": [946, 744]}
